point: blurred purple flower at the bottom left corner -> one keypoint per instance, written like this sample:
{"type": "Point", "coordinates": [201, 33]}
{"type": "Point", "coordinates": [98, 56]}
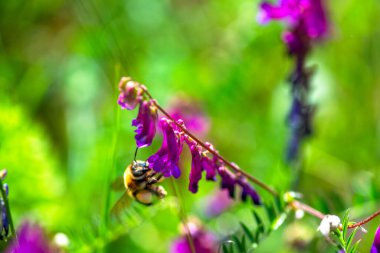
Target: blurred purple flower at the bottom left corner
{"type": "Point", "coordinates": [30, 239]}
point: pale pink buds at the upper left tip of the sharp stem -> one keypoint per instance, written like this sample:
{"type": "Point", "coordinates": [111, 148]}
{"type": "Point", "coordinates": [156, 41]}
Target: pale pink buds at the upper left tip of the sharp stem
{"type": "Point", "coordinates": [130, 93]}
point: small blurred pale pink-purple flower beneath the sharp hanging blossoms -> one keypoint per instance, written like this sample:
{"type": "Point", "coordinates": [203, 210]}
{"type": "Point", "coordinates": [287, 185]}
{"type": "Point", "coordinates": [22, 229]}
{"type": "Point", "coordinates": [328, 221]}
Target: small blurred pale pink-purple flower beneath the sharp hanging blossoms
{"type": "Point", "coordinates": [217, 203]}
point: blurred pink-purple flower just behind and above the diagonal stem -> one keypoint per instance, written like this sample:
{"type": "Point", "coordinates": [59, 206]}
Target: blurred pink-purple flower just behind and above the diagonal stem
{"type": "Point", "coordinates": [191, 113]}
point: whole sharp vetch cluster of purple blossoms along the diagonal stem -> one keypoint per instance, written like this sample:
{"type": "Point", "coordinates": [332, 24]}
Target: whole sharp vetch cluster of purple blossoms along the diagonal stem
{"type": "Point", "coordinates": [165, 161]}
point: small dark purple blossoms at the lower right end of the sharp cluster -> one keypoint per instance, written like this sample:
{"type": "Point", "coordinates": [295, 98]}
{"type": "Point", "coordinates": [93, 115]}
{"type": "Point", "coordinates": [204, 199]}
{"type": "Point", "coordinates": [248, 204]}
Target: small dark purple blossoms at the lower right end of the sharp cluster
{"type": "Point", "coordinates": [229, 182]}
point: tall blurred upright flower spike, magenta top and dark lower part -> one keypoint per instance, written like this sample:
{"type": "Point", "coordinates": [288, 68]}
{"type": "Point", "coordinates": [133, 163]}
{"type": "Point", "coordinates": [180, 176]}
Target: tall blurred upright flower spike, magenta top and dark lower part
{"type": "Point", "coordinates": [307, 22]}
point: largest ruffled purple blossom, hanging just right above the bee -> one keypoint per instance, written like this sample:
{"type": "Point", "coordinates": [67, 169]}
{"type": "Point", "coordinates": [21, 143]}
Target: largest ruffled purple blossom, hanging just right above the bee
{"type": "Point", "coordinates": [165, 160]}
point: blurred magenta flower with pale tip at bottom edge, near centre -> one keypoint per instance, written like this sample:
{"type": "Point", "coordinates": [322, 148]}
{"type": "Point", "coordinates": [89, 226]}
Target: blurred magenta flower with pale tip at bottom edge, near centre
{"type": "Point", "coordinates": [202, 240]}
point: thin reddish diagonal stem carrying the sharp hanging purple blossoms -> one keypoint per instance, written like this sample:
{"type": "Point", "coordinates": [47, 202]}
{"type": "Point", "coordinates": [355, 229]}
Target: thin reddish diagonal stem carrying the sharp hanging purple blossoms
{"type": "Point", "coordinates": [231, 165]}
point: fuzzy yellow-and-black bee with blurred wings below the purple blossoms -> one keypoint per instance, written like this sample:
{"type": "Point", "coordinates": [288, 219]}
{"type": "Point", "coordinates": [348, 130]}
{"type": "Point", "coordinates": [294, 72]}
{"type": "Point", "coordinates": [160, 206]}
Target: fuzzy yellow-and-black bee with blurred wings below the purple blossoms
{"type": "Point", "coordinates": [139, 182]}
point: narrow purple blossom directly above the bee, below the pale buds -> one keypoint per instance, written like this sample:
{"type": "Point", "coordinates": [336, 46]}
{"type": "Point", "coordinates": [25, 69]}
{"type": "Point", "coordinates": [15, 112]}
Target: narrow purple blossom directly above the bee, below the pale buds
{"type": "Point", "coordinates": [145, 123]}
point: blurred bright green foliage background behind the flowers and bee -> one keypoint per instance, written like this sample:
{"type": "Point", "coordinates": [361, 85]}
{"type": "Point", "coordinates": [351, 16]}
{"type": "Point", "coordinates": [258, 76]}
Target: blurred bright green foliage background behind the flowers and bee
{"type": "Point", "coordinates": [63, 136]}
